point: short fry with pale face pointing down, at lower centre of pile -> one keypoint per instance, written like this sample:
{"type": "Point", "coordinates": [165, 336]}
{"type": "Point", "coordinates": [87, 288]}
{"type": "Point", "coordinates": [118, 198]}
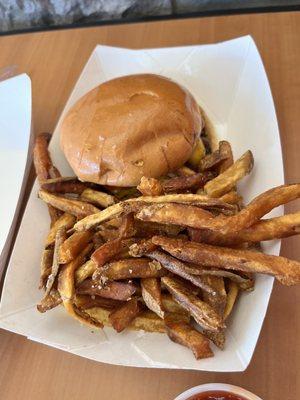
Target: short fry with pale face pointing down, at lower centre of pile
{"type": "Point", "coordinates": [151, 293]}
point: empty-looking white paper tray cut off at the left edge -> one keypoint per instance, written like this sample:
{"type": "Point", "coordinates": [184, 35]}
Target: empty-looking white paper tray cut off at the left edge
{"type": "Point", "coordinates": [15, 122]}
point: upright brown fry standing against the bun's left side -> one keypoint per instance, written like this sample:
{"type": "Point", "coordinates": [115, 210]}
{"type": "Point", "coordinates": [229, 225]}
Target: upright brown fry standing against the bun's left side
{"type": "Point", "coordinates": [41, 157]}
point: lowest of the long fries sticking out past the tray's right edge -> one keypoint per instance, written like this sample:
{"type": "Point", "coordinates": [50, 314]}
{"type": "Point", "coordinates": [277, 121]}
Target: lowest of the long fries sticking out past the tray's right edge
{"type": "Point", "coordinates": [285, 270]}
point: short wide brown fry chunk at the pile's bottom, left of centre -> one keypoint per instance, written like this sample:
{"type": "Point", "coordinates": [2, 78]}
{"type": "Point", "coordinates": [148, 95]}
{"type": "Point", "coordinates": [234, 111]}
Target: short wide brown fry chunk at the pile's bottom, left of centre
{"type": "Point", "coordinates": [124, 315]}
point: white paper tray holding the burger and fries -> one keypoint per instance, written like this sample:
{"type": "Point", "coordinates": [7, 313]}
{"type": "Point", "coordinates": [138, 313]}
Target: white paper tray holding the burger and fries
{"type": "Point", "coordinates": [229, 82]}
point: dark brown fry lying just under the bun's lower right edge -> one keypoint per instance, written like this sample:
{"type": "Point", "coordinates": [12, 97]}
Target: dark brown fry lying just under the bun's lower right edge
{"type": "Point", "coordinates": [182, 183]}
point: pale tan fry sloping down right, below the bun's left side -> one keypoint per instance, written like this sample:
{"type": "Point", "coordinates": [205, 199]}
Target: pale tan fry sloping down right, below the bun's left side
{"type": "Point", "coordinates": [74, 207]}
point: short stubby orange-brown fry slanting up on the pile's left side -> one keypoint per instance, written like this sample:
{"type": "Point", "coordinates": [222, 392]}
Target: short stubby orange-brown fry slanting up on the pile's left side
{"type": "Point", "coordinates": [72, 246]}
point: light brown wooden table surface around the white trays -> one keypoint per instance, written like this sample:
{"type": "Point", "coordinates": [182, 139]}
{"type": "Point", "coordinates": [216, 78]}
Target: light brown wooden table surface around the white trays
{"type": "Point", "coordinates": [54, 61]}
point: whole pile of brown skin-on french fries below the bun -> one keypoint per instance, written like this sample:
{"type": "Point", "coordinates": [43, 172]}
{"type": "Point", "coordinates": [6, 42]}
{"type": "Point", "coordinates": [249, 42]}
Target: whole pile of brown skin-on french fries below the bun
{"type": "Point", "coordinates": [169, 256]}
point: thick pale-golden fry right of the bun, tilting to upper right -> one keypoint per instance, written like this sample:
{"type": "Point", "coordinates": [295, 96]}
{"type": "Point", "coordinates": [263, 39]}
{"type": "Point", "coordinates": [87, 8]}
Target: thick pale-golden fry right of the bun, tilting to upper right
{"type": "Point", "coordinates": [227, 180]}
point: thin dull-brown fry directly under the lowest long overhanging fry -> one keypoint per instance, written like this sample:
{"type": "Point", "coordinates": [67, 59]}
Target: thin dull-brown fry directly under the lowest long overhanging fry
{"type": "Point", "coordinates": [178, 268]}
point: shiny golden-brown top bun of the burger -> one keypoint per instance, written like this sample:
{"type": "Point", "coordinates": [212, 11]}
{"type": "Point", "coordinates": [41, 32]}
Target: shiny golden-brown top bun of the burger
{"type": "Point", "coordinates": [129, 127]}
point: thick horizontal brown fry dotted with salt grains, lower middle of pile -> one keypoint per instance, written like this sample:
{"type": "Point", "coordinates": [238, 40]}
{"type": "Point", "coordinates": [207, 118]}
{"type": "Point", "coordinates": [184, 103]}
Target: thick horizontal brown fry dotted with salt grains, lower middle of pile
{"type": "Point", "coordinates": [132, 268]}
